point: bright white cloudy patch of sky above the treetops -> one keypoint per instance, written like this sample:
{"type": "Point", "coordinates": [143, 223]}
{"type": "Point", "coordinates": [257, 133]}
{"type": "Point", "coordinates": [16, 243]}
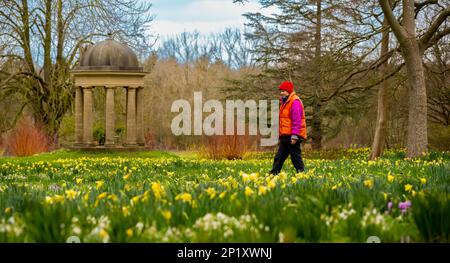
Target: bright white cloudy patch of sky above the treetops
{"type": "Point", "coordinates": [206, 16]}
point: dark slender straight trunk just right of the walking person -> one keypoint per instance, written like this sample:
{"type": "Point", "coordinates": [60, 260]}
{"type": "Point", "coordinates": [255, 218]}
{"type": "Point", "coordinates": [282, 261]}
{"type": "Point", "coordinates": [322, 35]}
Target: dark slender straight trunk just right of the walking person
{"type": "Point", "coordinates": [316, 131]}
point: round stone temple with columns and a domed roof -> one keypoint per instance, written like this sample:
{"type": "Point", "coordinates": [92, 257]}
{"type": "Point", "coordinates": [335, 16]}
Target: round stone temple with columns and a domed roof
{"type": "Point", "coordinates": [111, 65]}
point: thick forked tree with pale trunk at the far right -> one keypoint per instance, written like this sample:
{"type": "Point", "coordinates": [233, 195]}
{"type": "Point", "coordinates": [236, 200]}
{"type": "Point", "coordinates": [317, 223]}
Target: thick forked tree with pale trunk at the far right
{"type": "Point", "coordinates": [413, 46]}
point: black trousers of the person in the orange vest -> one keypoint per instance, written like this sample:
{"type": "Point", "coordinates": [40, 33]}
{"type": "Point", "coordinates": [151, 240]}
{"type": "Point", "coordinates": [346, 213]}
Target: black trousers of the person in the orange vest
{"type": "Point", "coordinates": [285, 149]}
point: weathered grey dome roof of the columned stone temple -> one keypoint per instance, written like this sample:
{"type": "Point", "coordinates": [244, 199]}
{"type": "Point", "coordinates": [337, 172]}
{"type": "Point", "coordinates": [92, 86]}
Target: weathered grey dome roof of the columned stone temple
{"type": "Point", "coordinates": [109, 55]}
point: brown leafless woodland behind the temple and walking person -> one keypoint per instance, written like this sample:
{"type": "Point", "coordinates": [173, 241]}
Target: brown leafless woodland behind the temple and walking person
{"type": "Point", "coordinates": [354, 64]}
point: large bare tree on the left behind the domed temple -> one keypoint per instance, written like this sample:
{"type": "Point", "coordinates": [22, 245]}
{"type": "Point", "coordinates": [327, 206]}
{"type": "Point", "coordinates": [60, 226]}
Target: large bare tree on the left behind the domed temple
{"type": "Point", "coordinates": [44, 38]}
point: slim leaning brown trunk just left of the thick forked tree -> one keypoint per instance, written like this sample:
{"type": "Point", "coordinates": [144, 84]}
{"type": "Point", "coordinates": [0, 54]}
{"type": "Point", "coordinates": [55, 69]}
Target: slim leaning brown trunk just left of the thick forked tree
{"type": "Point", "coordinates": [383, 104]}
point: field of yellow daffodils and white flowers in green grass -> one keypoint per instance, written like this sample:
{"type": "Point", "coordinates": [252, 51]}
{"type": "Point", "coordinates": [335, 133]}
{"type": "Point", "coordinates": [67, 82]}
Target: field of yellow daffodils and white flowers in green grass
{"type": "Point", "coordinates": [179, 199]}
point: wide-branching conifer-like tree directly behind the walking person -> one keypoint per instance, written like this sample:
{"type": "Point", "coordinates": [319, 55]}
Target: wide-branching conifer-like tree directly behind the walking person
{"type": "Point", "coordinates": [327, 47]}
